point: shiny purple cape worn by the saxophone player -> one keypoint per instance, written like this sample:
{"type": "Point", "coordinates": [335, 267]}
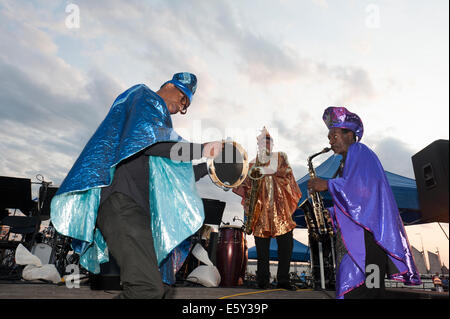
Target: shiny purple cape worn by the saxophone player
{"type": "Point", "coordinates": [362, 200]}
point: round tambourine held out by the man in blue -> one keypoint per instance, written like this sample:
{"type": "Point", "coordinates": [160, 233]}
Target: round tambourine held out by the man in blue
{"type": "Point", "coordinates": [230, 167]}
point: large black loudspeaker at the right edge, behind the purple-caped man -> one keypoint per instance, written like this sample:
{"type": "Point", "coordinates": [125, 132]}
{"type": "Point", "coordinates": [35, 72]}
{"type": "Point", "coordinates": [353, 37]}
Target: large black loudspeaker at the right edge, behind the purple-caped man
{"type": "Point", "coordinates": [431, 172]}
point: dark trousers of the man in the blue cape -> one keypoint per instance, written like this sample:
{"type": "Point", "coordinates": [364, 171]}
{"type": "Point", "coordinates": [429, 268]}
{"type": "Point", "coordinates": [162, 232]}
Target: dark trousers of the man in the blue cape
{"type": "Point", "coordinates": [126, 228]}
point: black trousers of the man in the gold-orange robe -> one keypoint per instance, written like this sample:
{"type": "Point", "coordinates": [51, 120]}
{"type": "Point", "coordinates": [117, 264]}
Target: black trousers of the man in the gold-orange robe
{"type": "Point", "coordinates": [285, 244]}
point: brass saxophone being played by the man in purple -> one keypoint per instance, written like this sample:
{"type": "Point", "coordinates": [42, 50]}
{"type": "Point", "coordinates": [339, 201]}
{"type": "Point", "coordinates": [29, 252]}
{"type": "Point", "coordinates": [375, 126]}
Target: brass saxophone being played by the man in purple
{"type": "Point", "coordinates": [321, 214]}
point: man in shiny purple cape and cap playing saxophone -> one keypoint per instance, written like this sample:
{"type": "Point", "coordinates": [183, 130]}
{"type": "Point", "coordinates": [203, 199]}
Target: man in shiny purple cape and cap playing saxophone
{"type": "Point", "coordinates": [371, 241]}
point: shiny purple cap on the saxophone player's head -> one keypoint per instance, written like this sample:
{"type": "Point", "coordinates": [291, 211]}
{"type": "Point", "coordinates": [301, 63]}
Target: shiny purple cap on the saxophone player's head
{"type": "Point", "coordinates": [342, 118]}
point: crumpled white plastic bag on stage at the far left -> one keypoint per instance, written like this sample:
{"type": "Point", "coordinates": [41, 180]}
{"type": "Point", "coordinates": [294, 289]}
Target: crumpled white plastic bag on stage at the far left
{"type": "Point", "coordinates": [34, 268]}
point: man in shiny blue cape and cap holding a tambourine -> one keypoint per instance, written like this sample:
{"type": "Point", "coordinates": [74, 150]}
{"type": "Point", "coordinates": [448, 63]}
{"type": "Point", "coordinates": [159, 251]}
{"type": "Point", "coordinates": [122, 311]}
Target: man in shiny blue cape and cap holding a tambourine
{"type": "Point", "coordinates": [126, 195]}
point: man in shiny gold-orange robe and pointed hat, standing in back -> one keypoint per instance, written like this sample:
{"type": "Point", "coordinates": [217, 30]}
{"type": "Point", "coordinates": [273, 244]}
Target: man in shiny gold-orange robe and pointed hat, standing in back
{"type": "Point", "coordinates": [276, 199]}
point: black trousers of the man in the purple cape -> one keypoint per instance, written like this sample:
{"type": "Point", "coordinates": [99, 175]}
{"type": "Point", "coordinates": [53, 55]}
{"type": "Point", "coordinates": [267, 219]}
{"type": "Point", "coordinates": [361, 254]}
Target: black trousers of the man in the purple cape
{"type": "Point", "coordinates": [376, 258]}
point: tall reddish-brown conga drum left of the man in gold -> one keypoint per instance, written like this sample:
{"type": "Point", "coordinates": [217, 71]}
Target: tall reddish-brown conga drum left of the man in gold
{"type": "Point", "coordinates": [231, 255]}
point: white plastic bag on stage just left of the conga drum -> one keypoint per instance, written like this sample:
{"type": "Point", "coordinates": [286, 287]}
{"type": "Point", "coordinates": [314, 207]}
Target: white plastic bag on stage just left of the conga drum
{"type": "Point", "coordinates": [207, 275]}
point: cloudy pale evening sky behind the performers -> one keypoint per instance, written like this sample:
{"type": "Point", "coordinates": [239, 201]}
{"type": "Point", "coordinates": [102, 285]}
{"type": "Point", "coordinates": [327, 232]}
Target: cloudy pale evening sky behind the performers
{"type": "Point", "coordinates": [259, 63]}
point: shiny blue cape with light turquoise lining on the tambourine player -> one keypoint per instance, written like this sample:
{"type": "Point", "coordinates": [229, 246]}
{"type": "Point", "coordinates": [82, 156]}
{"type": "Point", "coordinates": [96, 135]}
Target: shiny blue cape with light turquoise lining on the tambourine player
{"type": "Point", "coordinates": [137, 119]}
